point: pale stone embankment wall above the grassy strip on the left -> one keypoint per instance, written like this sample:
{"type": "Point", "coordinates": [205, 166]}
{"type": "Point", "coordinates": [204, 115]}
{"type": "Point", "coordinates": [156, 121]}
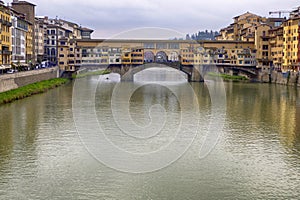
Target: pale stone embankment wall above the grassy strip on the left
{"type": "Point", "coordinates": [16, 80]}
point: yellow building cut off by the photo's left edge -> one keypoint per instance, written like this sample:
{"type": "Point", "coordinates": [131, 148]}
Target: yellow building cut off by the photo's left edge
{"type": "Point", "coordinates": [5, 39]}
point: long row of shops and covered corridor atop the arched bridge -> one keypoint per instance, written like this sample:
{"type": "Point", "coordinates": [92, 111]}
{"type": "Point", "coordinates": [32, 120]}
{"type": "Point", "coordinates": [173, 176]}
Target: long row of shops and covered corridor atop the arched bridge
{"type": "Point", "coordinates": [104, 53]}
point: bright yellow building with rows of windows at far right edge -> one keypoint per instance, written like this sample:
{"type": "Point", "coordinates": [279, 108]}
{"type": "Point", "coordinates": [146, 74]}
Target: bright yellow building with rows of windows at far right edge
{"type": "Point", "coordinates": [291, 48]}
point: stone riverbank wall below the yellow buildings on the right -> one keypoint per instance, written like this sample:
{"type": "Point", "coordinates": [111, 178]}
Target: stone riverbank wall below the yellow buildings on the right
{"type": "Point", "coordinates": [276, 77]}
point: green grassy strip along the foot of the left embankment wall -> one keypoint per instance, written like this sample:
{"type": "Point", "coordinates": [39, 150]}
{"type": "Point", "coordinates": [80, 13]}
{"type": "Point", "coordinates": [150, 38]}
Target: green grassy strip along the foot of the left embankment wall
{"type": "Point", "coordinates": [29, 90]}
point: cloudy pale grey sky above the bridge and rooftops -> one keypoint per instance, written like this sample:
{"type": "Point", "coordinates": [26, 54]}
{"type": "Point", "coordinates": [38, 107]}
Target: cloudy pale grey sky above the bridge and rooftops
{"type": "Point", "coordinates": [110, 17]}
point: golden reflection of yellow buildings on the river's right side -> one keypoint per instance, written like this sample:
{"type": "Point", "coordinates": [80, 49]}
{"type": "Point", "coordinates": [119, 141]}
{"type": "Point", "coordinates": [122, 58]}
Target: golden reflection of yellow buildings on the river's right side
{"type": "Point", "coordinates": [268, 107]}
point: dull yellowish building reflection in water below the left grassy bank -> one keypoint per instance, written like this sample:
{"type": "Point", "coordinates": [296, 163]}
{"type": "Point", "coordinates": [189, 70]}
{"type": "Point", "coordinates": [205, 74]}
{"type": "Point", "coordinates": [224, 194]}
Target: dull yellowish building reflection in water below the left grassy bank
{"type": "Point", "coordinates": [20, 128]}
